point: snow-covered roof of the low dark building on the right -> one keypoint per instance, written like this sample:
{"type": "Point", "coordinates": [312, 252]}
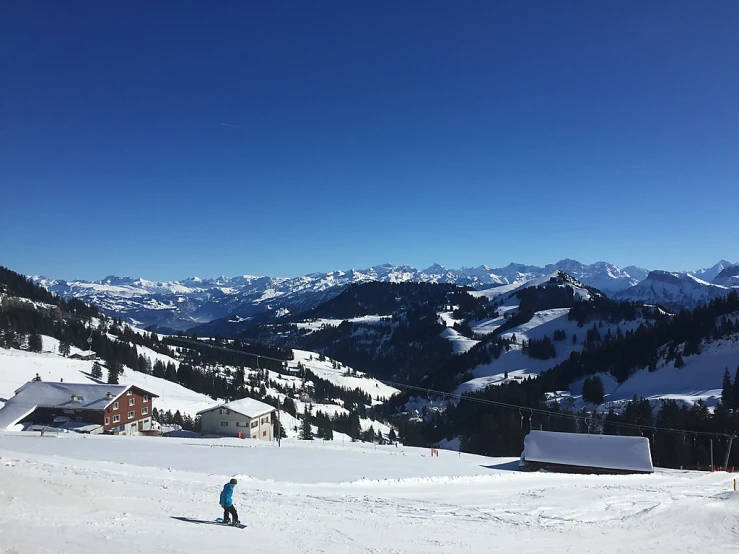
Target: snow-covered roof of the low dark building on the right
{"type": "Point", "coordinates": [610, 452]}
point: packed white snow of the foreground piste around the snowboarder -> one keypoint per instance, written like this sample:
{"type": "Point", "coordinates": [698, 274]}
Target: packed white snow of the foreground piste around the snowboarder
{"type": "Point", "coordinates": [90, 494]}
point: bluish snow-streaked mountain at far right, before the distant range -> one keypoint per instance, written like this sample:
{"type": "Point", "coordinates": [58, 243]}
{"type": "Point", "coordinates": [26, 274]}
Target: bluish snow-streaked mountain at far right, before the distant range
{"type": "Point", "coordinates": [673, 290]}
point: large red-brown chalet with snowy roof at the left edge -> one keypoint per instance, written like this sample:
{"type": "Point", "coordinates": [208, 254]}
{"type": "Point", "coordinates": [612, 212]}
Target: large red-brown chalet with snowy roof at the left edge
{"type": "Point", "coordinates": [81, 407]}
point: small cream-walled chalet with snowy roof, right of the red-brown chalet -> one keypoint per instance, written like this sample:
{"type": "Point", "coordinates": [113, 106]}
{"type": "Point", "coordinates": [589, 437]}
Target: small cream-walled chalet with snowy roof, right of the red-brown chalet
{"type": "Point", "coordinates": [247, 418]}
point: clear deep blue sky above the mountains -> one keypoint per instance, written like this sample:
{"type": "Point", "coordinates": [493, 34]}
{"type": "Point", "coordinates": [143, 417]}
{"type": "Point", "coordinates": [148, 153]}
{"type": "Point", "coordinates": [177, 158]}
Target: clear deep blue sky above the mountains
{"type": "Point", "coordinates": [365, 132]}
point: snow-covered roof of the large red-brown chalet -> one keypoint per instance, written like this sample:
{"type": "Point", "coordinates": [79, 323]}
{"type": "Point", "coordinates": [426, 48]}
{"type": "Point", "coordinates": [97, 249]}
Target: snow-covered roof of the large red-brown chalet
{"type": "Point", "coordinates": [43, 394]}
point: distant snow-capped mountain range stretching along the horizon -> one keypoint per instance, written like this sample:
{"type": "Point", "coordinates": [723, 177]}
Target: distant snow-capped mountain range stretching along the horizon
{"type": "Point", "coordinates": [194, 301]}
